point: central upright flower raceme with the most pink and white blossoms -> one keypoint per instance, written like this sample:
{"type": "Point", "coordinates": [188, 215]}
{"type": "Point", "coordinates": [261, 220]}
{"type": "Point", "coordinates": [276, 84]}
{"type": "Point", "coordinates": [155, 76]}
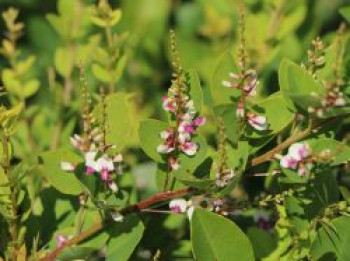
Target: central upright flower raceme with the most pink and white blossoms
{"type": "Point", "coordinates": [178, 138]}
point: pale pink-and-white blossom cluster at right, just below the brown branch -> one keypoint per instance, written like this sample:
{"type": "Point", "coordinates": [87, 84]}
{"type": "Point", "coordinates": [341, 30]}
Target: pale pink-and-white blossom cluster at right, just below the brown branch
{"type": "Point", "coordinates": [296, 158]}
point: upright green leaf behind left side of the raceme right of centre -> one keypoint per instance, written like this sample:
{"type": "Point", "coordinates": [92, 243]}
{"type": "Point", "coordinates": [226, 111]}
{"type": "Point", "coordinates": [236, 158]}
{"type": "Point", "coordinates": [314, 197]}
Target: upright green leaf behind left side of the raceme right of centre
{"type": "Point", "coordinates": [221, 94]}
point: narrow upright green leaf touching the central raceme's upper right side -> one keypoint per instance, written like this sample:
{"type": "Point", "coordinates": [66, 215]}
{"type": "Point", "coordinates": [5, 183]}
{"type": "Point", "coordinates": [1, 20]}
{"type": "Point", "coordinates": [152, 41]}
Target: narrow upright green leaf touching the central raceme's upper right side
{"type": "Point", "coordinates": [195, 92]}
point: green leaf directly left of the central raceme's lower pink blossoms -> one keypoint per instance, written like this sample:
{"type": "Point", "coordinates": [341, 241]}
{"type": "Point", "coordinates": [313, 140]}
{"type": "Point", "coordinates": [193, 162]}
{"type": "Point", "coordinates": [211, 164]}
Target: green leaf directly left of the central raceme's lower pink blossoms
{"type": "Point", "coordinates": [149, 138]}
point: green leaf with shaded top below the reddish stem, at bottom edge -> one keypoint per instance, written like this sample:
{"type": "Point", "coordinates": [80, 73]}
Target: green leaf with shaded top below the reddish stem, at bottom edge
{"type": "Point", "coordinates": [125, 237]}
